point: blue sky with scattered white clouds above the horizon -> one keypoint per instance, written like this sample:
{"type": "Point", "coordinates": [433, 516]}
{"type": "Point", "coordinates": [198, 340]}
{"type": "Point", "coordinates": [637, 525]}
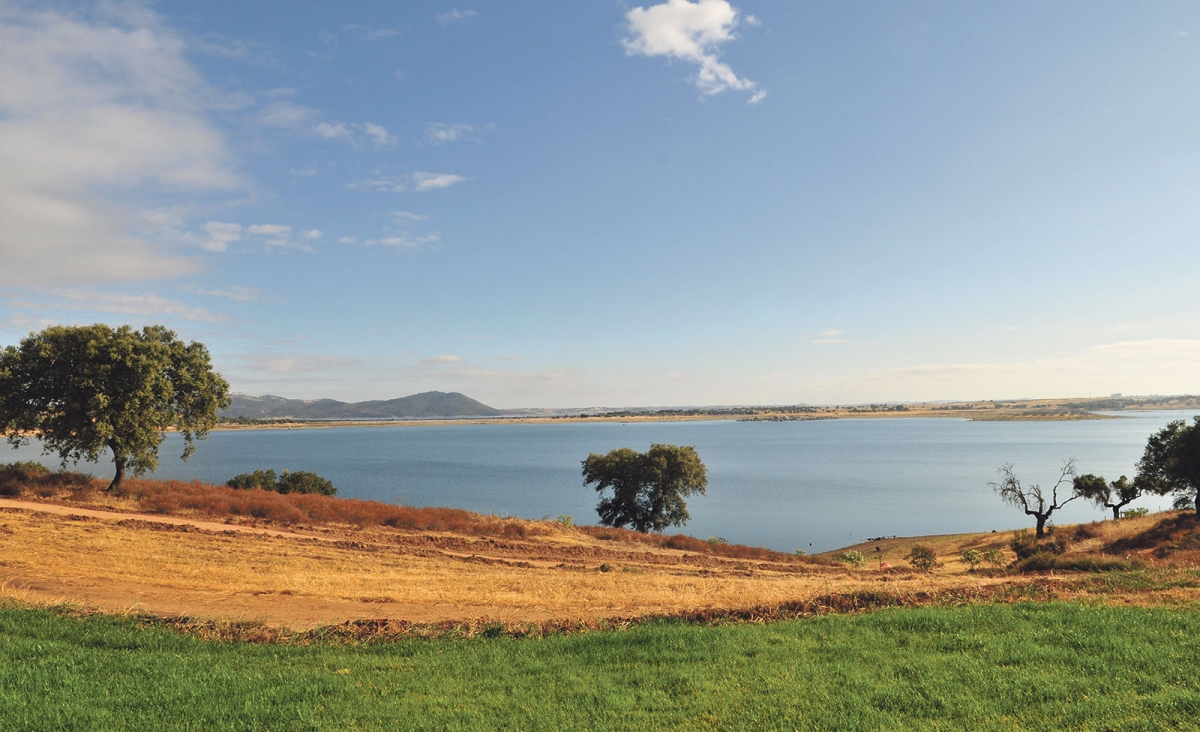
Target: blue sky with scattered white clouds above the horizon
{"type": "Point", "coordinates": [603, 203]}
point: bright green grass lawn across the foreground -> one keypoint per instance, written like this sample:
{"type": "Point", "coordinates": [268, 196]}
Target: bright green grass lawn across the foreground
{"type": "Point", "coordinates": [987, 668]}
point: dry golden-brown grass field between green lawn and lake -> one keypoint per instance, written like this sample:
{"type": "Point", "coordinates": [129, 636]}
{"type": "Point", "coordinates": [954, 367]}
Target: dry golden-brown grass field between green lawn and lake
{"type": "Point", "coordinates": [303, 561]}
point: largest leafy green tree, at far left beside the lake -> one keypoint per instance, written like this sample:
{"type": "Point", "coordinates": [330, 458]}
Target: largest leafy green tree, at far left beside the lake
{"type": "Point", "coordinates": [86, 388]}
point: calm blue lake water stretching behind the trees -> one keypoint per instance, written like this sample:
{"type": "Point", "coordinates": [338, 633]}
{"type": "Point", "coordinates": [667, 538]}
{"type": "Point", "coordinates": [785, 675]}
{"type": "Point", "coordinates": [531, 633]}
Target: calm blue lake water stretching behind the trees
{"type": "Point", "coordinates": [784, 485]}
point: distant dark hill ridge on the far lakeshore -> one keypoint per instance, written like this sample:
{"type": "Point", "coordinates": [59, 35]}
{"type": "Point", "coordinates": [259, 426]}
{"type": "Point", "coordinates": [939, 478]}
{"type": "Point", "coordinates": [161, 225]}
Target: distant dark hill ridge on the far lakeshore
{"type": "Point", "coordinates": [429, 405]}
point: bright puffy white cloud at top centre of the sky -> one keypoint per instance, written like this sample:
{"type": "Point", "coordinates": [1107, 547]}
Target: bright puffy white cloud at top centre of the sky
{"type": "Point", "coordinates": [693, 33]}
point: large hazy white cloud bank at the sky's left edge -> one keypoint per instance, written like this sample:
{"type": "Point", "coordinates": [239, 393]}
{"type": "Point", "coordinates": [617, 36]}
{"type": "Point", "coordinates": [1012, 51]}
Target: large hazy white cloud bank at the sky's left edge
{"type": "Point", "coordinates": [97, 115]}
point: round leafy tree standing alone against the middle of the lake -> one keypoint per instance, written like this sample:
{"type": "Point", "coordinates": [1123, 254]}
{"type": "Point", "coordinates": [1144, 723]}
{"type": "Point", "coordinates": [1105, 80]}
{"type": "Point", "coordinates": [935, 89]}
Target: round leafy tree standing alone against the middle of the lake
{"type": "Point", "coordinates": [649, 489]}
